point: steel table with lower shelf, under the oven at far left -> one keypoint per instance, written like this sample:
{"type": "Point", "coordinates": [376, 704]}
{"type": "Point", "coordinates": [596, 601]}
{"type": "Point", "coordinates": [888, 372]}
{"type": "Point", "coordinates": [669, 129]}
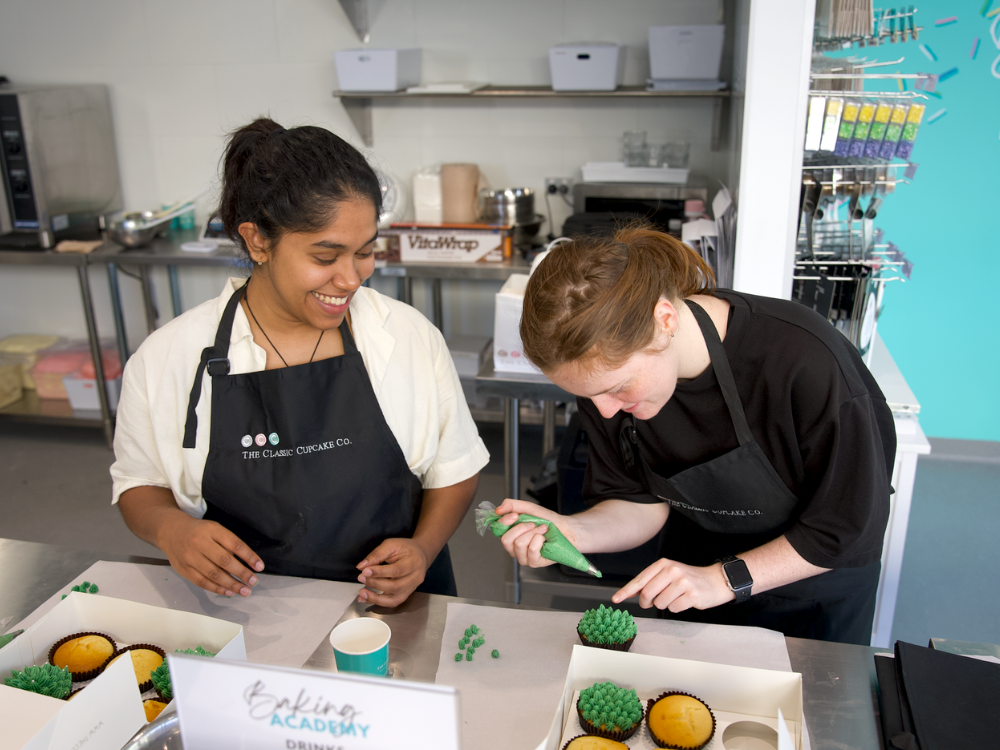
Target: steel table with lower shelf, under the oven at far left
{"type": "Point", "coordinates": [30, 407]}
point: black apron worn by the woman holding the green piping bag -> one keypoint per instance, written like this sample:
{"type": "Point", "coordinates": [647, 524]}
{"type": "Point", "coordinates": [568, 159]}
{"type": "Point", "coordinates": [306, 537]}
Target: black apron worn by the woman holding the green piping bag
{"type": "Point", "coordinates": [736, 502]}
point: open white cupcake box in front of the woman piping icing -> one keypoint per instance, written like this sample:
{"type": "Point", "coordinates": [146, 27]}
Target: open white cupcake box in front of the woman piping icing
{"type": "Point", "coordinates": [746, 702]}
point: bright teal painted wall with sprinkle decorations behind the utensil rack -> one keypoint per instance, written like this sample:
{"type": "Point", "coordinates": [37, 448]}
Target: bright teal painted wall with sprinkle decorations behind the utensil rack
{"type": "Point", "coordinates": [943, 327]}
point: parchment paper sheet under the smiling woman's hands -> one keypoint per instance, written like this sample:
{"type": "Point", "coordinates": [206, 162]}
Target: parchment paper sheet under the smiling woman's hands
{"type": "Point", "coordinates": [283, 620]}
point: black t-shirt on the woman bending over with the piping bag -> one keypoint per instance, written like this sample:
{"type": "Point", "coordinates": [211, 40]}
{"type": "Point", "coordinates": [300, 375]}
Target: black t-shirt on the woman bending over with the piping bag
{"type": "Point", "coordinates": [814, 409]}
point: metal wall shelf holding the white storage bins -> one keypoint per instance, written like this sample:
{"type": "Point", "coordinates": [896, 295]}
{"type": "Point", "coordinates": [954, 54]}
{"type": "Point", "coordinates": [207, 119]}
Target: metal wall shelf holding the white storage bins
{"type": "Point", "coordinates": [358, 104]}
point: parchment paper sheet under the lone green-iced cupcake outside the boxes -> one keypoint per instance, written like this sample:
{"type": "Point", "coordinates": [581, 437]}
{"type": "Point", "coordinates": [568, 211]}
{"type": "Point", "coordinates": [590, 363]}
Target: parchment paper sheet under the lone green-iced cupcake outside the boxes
{"type": "Point", "coordinates": [509, 702]}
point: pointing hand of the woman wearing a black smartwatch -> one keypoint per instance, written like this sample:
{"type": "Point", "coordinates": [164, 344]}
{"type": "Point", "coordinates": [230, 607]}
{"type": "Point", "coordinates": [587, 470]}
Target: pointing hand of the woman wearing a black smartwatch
{"type": "Point", "coordinates": [672, 585]}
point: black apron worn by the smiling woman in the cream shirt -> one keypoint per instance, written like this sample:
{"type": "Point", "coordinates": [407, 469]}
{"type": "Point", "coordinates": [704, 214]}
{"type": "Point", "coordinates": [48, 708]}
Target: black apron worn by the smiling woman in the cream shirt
{"type": "Point", "coordinates": [302, 465]}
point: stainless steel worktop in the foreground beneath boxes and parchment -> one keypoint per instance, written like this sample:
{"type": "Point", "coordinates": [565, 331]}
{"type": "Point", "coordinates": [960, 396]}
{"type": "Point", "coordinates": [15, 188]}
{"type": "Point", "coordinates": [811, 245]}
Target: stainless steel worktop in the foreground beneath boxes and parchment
{"type": "Point", "coordinates": [838, 681]}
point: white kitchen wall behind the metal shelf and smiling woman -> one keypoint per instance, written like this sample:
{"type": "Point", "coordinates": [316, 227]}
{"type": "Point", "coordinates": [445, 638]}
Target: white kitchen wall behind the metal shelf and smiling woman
{"type": "Point", "coordinates": [184, 72]}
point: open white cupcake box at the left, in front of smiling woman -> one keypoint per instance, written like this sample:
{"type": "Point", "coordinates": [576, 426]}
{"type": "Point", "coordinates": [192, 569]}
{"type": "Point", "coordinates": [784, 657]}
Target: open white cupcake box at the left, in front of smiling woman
{"type": "Point", "coordinates": [106, 714]}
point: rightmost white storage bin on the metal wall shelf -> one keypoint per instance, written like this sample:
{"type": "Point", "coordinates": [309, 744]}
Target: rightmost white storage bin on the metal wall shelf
{"type": "Point", "coordinates": [686, 52]}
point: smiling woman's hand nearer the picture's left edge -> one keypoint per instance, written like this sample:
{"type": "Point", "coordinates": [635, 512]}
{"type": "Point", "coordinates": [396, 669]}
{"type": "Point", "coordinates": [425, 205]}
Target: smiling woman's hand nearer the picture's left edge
{"type": "Point", "coordinates": [209, 555]}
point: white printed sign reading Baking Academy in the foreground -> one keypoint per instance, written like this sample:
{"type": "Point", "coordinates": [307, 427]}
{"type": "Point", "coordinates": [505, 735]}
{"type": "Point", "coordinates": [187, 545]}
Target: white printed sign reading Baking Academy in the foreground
{"type": "Point", "coordinates": [255, 707]}
